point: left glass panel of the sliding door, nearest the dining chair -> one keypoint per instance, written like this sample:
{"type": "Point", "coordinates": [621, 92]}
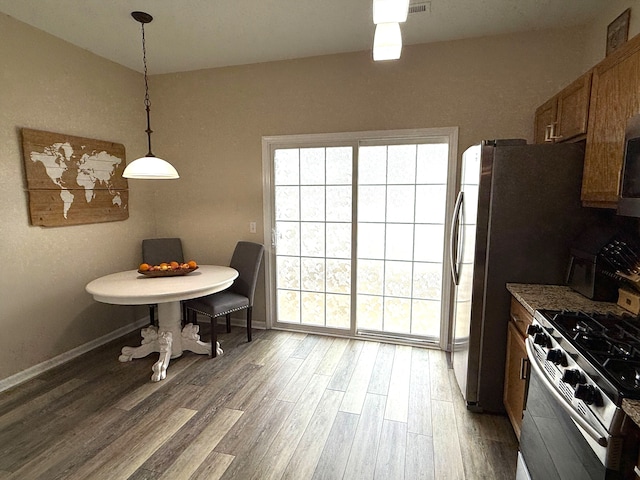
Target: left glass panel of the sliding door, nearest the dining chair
{"type": "Point", "coordinates": [313, 210]}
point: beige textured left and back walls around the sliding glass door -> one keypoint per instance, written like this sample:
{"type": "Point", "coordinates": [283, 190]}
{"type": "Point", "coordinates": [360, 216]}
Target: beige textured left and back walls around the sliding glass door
{"type": "Point", "coordinates": [209, 124]}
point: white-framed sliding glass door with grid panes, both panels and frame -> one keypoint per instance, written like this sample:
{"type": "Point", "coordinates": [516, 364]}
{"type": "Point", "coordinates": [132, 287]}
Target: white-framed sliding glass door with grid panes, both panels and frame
{"type": "Point", "coordinates": [357, 228]}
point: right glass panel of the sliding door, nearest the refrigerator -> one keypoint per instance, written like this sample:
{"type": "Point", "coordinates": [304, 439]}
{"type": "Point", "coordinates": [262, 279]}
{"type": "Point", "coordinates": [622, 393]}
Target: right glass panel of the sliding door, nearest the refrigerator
{"type": "Point", "coordinates": [402, 198]}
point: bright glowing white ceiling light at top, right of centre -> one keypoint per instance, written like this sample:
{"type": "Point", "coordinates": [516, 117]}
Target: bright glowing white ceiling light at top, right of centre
{"type": "Point", "coordinates": [387, 16]}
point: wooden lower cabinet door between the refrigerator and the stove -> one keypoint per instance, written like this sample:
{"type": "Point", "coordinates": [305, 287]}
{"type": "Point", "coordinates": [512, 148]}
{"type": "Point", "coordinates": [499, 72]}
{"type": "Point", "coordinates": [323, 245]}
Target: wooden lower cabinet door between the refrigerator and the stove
{"type": "Point", "coordinates": [514, 384]}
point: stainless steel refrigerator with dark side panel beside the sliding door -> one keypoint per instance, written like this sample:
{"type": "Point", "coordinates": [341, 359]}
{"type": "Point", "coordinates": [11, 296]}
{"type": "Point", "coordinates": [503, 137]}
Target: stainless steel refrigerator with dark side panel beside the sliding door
{"type": "Point", "coordinates": [517, 212]}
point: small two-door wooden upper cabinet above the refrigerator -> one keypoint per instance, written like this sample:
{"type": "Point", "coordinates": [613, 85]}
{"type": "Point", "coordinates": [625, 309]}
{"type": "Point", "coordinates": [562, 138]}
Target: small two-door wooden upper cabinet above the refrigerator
{"type": "Point", "coordinates": [564, 117]}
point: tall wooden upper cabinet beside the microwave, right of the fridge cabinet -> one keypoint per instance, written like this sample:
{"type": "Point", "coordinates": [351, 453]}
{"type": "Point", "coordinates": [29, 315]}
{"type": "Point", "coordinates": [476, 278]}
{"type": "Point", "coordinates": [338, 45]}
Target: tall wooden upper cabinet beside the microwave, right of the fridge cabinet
{"type": "Point", "coordinates": [615, 97]}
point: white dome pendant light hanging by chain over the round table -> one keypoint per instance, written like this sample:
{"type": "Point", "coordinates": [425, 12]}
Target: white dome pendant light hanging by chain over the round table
{"type": "Point", "coordinates": [148, 167]}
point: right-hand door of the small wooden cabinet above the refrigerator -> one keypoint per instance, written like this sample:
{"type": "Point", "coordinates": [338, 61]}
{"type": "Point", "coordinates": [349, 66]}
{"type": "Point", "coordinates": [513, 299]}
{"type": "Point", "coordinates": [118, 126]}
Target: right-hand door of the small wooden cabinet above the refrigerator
{"type": "Point", "coordinates": [573, 109]}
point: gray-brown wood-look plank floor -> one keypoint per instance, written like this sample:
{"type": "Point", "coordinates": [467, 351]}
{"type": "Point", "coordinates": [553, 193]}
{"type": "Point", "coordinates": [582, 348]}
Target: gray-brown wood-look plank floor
{"type": "Point", "coordinates": [285, 406]}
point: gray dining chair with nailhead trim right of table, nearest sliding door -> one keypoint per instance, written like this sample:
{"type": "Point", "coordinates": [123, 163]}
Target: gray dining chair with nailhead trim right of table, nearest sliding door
{"type": "Point", "coordinates": [246, 259]}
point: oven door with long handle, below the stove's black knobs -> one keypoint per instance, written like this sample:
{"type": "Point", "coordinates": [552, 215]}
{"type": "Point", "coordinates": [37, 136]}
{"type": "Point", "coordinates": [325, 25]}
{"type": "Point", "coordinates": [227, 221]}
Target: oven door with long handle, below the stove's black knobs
{"type": "Point", "coordinates": [551, 443]}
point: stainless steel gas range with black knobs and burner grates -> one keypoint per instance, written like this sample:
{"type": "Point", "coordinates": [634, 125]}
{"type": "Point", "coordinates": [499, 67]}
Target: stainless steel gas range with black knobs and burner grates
{"type": "Point", "coordinates": [581, 367]}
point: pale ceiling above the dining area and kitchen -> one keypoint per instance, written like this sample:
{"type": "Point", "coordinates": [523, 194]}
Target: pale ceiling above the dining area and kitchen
{"type": "Point", "coordinates": [195, 34]}
